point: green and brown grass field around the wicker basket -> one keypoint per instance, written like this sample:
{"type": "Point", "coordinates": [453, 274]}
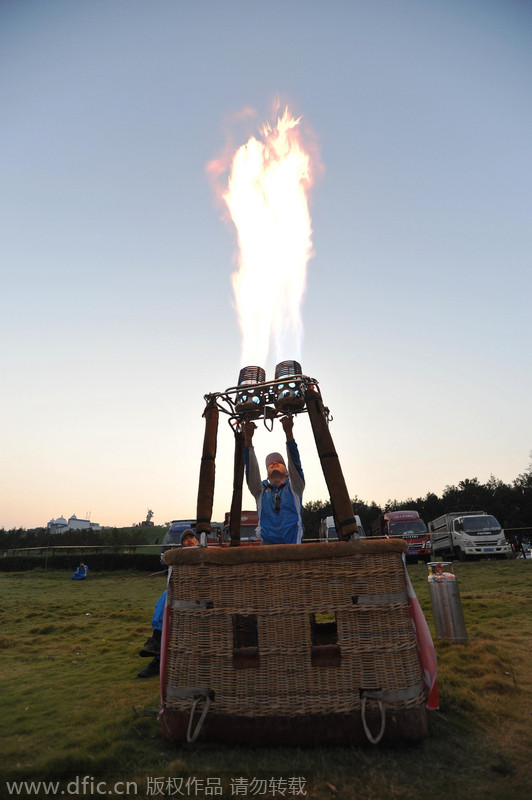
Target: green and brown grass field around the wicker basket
{"type": "Point", "coordinates": [72, 705]}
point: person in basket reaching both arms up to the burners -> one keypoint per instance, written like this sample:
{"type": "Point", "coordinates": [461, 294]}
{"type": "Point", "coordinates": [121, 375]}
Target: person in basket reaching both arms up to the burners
{"type": "Point", "coordinates": [279, 498]}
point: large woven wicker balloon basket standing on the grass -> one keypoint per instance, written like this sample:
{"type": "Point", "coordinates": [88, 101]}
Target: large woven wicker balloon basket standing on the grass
{"type": "Point", "coordinates": [293, 644]}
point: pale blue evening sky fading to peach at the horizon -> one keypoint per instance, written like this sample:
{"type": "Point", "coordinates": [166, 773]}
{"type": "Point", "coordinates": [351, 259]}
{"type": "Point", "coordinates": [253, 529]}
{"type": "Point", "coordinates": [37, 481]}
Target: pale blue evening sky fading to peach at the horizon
{"type": "Point", "coordinates": [116, 308]}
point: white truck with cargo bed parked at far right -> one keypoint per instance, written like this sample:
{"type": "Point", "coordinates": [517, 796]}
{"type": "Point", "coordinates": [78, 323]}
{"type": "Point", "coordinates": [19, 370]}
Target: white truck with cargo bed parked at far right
{"type": "Point", "coordinates": [468, 534]}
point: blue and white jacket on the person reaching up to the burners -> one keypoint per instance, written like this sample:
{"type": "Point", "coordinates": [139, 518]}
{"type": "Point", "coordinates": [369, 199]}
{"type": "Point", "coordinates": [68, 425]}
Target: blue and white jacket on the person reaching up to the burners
{"type": "Point", "coordinates": [278, 507]}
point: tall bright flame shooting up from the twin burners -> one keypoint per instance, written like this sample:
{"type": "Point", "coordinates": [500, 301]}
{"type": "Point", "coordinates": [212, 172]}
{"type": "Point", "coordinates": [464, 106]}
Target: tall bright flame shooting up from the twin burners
{"type": "Point", "coordinates": [267, 197]}
